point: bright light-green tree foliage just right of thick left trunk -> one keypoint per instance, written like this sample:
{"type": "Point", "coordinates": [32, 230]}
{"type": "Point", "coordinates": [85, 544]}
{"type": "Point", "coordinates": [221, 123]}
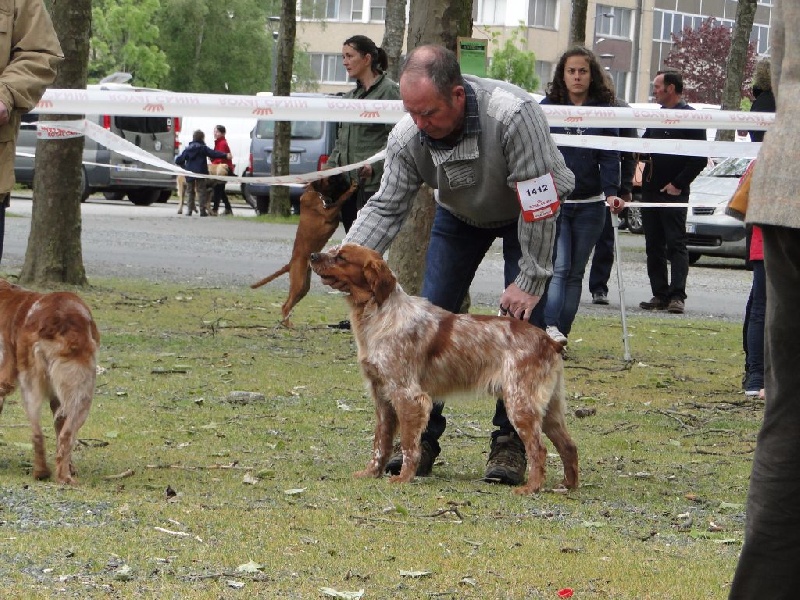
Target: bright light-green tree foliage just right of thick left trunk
{"type": "Point", "coordinates": [125, 38]}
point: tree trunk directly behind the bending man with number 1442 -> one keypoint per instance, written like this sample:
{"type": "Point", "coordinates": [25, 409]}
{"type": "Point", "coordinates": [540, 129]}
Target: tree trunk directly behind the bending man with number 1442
{"type": "Point", "coordinates": [430, 22]}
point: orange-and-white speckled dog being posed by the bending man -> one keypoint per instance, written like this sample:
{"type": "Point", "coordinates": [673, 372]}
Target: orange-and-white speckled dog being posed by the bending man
{"type": "Point", "coordinates": [410, 351]}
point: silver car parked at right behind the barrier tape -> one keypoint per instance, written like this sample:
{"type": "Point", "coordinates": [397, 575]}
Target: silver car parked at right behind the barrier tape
{"type": "Point", "coordinates": [709, 230]}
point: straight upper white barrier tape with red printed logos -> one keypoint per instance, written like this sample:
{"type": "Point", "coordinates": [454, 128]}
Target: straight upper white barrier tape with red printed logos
{"type": "Point", "coordinates": [334, 108]}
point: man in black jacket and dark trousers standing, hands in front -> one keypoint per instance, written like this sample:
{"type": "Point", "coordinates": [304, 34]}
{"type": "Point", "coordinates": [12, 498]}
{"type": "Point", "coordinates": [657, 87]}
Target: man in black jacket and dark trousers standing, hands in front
{"type": "Point", "coordinates": [666, 179]}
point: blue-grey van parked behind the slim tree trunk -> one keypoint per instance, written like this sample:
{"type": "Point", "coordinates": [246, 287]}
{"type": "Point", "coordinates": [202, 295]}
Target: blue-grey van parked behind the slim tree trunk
{"type": "Point", "coordinates": [311, 144]}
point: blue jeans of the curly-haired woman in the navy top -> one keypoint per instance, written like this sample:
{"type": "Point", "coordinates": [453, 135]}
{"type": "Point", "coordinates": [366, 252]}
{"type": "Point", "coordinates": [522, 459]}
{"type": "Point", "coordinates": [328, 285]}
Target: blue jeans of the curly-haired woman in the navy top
{"type": "Point", "coordinates": [587, 226]}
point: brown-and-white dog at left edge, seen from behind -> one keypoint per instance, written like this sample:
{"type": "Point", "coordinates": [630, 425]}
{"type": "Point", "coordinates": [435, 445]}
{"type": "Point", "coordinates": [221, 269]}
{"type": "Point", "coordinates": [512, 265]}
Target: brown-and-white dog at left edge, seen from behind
{"type": "Point", "coordinates": [48, 345]}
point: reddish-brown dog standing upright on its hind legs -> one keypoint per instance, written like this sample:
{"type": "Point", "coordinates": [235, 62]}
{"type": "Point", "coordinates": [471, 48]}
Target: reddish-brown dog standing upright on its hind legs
{"type": "Point", "coordinates": [320, 207]}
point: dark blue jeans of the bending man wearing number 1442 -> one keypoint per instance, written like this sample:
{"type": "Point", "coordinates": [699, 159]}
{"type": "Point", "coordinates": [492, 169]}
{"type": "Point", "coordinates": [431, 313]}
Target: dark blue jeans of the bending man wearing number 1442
{"type": "Point", "coordinates": [455, 251]}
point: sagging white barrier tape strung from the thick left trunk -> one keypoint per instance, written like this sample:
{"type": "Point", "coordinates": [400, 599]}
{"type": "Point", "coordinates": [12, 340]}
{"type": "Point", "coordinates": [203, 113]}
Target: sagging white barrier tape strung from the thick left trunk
{"type": "Point", "coordinates": [68, 129]}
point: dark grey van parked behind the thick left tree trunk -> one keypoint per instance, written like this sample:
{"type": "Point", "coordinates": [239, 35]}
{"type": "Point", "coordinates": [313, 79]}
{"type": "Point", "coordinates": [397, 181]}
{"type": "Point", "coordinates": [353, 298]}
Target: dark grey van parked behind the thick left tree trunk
{"type": "Point", "coordinates": [109, 172]}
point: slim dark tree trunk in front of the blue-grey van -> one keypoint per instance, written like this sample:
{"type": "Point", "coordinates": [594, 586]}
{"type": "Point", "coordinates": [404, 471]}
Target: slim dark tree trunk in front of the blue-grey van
{"type": "Point", "coordinates": [279, 203]}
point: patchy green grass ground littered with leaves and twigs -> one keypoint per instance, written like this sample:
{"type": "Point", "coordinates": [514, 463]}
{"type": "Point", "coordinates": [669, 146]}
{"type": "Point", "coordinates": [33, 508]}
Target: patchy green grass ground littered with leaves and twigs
{"type": "Point", "coordinates": [267, 482]}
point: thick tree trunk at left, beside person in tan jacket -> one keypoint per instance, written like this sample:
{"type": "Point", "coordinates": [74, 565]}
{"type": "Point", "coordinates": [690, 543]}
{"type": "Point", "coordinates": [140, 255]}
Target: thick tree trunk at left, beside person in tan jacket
{"type": "Point", "coordinates": [53, 255]}
